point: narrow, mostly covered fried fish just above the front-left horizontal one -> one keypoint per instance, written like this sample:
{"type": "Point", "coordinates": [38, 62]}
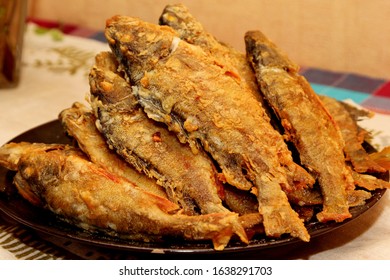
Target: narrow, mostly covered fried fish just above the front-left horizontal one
{"type": "Point", "coordinates": [79, 122]}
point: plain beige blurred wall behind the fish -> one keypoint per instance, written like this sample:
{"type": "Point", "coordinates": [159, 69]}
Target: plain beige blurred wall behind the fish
{"type": "Point", "coordinates": [340, 35]}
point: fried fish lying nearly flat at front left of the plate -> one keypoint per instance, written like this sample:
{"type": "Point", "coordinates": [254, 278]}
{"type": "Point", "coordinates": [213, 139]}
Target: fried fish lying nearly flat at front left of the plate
{"type": "Point", "coordinates": [61, 179]}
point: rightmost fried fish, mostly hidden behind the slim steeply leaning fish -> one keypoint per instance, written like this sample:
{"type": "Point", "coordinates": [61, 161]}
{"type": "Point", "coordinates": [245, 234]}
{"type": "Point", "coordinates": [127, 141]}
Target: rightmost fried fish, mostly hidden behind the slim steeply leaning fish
{"type": "Point", "coordinates": [353, 137]}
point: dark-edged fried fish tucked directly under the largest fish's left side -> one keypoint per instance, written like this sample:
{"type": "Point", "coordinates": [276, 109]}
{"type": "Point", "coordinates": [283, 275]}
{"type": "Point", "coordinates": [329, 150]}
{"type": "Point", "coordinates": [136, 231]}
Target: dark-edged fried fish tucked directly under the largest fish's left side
{"type": "Point", "coordinates": [190, 180]}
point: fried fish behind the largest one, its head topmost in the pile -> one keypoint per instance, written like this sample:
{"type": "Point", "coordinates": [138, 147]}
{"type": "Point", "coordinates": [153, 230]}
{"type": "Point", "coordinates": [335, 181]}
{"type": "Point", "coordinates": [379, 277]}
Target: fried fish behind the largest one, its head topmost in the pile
{"type": "Point", "coordinates": [236, 65]}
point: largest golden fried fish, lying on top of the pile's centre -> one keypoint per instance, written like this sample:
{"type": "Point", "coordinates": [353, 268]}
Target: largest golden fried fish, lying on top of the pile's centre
{"type": "Point", "coordinates": [180, 85]}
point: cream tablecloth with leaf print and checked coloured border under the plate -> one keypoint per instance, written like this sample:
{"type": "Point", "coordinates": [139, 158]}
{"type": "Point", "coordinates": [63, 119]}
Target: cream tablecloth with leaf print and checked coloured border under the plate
{"type": "Point", "coordinates": [56, 62]}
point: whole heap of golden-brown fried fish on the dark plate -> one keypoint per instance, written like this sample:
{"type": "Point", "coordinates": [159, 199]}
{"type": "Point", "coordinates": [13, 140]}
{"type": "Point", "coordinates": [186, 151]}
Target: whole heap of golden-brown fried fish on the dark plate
{"type": "Point", "coordinates": [186, 137]}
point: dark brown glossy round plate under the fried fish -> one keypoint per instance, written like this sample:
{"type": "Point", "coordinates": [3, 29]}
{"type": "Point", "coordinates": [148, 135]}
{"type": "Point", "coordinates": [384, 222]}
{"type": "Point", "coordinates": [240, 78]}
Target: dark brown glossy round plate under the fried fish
{"type": "Point", "coordinates": [43, 221]}
